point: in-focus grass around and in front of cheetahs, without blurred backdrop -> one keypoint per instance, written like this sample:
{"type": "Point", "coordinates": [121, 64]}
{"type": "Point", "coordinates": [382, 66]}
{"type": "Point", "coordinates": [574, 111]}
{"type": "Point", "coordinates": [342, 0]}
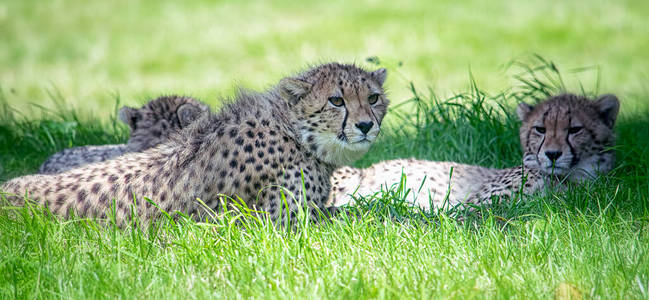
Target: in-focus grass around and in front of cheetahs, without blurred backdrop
{"type": "Point", "coordinates": [589, 241]}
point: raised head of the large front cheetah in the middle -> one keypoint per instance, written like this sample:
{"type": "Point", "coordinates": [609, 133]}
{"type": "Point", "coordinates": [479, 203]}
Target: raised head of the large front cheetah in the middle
{"type": "Point", "coordinates": [338, 110]}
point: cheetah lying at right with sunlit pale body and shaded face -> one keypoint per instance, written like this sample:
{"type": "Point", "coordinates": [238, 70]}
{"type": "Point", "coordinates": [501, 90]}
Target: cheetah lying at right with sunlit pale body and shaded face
{"type": "Point", "coordinates": [564, 137]}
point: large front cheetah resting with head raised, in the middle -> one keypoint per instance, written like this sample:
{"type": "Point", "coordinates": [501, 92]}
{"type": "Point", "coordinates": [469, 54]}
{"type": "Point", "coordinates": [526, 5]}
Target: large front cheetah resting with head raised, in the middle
{"type": "Point", "coordinates": [292, 136]}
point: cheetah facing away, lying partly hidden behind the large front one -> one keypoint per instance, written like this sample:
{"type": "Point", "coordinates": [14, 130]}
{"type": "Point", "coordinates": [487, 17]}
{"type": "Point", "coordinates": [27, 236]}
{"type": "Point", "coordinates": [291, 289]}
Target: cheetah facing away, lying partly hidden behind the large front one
{"type": "Point", "coordinates": [150, 125]}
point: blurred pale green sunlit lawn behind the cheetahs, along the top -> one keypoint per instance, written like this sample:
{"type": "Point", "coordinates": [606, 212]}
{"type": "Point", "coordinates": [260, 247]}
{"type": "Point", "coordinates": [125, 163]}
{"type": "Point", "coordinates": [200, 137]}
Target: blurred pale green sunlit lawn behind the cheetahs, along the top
{"type": "Point", "coordinates": [89, 52]}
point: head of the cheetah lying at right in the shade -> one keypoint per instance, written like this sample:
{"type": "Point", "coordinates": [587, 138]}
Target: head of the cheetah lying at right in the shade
{"type": "Point", "coordinates": [569, 135]}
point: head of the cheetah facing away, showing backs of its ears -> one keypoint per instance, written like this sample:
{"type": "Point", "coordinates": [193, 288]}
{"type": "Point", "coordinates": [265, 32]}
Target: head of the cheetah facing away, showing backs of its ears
{"type": "Point", "coordinates": [155, 121]}
